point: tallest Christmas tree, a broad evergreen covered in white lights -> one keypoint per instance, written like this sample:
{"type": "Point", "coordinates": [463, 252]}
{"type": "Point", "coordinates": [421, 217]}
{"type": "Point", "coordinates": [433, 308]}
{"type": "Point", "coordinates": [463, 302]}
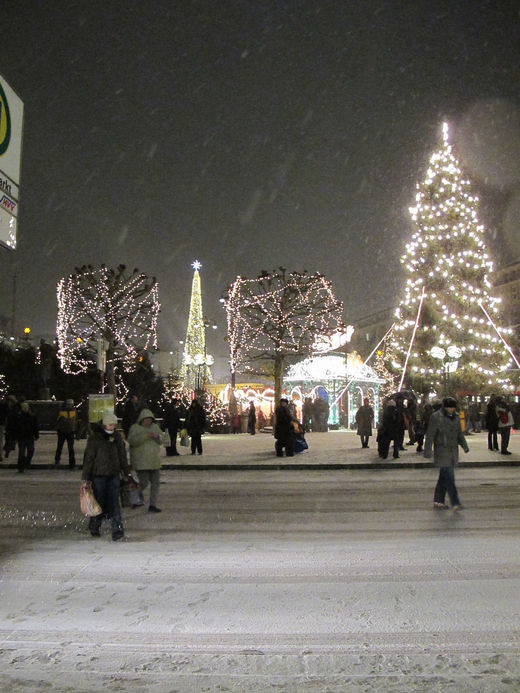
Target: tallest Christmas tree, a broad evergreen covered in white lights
{"type": "Point", "coordinates": [448, 267]}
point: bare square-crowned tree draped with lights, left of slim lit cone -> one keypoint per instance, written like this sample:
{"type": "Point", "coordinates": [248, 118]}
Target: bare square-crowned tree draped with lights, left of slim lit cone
{"type": "Point", "coordinates": [106, 311]}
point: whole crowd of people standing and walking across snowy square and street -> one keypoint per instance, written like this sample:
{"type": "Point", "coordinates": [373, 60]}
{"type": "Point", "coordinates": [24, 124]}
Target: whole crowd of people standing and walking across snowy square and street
{"type": "Point", "coordinates": [111, 456]}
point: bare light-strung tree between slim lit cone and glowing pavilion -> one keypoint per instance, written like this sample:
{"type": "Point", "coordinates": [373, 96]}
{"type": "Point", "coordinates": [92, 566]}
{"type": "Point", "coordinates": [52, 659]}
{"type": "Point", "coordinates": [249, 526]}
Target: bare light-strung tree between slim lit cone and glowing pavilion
{"type": "Point", "coordinates": [277, 315]}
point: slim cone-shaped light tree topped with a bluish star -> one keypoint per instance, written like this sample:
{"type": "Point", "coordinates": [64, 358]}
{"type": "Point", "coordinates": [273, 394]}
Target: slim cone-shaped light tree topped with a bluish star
{"type": "Point", "coordinates": [196, 363]}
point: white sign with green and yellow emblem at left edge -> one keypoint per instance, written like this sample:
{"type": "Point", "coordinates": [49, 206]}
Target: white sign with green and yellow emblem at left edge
{"type": "Point", "coordinates": [11, 126]}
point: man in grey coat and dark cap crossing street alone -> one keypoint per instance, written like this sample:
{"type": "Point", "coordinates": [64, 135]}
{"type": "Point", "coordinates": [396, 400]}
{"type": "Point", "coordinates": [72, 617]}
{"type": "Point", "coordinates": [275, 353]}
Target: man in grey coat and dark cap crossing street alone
{"type": "Point", "coordinates": [444, 435]}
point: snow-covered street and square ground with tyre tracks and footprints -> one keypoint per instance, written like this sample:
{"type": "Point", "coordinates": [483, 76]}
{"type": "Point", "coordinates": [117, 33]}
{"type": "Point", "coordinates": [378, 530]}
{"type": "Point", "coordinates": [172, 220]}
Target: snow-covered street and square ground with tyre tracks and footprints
{"type": "Point", "coordinates": [263, 580]}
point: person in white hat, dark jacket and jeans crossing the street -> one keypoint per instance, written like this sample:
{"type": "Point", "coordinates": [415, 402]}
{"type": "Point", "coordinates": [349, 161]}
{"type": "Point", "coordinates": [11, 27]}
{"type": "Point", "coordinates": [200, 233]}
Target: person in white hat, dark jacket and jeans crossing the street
{"type": "Point", "coordinates": [104, 461]}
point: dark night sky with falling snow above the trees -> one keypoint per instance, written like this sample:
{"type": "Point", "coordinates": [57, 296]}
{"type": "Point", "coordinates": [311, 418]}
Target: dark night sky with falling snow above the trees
{"type": "Point", "coordinates": [250, 135]}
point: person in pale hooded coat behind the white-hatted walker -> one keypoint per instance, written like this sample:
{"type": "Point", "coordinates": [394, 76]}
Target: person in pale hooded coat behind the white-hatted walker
{"type": "Point", "coordinates": [144, 439]}
